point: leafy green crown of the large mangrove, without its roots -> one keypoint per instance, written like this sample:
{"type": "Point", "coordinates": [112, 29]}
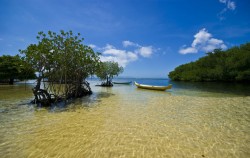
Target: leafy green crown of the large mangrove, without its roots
{"type": "Point", "coordinates": [63, 53]}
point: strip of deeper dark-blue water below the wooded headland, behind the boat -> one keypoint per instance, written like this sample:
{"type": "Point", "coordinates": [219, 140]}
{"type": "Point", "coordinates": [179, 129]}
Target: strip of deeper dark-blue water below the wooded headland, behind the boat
{"type": "Point", "coordinates": [195, 88]}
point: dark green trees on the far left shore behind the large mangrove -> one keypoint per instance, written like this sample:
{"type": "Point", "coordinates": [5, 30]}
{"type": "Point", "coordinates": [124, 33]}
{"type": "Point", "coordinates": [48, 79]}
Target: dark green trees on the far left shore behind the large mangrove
{"type": "Point", "coordinates": [13, 67]}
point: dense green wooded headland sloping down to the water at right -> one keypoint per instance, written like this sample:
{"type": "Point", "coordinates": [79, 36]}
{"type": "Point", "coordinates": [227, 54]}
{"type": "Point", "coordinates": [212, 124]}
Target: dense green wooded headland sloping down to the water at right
{"type": "Point", "coordinates": [232, 65]}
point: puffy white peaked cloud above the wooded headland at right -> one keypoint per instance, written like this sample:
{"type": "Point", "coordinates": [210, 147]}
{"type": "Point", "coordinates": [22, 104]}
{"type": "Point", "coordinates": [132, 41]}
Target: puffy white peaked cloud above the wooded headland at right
{"type": "Point", "coordinates": [203, 41]}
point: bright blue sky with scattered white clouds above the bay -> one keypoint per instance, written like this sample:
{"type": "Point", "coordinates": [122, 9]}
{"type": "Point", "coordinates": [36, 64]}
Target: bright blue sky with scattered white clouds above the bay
{"type": "Point", "coordinates": [149, 38]}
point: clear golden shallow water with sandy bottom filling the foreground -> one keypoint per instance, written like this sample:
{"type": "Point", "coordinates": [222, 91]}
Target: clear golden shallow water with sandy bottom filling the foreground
{"type": "Point", "coordinates": [126, 122]}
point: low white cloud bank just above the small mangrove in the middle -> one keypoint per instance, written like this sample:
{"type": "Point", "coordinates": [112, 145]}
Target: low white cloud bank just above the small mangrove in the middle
{"type": "Point", "coordinates": [124, 56]}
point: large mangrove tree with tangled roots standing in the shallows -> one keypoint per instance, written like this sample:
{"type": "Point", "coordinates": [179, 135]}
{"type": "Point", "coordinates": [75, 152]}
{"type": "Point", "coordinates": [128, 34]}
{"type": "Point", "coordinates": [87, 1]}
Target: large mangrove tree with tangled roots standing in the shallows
{"type": "Point", "coordinates": [64, 61]}
